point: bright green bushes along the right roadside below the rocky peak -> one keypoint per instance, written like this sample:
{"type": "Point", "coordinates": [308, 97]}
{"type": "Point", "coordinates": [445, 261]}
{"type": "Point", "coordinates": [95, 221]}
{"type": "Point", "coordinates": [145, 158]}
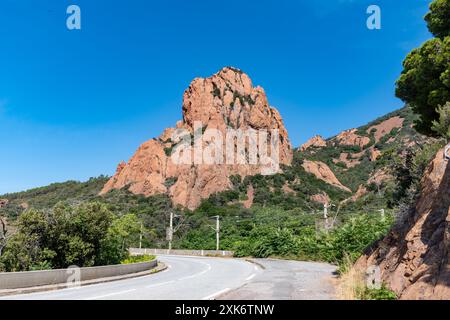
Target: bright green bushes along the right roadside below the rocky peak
{"type": "Point", "coordinates": [351, 238]}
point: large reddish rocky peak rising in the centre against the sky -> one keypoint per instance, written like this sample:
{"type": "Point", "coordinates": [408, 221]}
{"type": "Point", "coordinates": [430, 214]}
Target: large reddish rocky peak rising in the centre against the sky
{"type": "Point", "coordinates": [226, 100]}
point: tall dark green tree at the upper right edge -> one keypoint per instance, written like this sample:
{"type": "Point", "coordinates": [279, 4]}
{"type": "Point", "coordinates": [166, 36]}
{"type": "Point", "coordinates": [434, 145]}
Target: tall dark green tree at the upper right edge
{"type": "Point", "coordinates": [425, 80]}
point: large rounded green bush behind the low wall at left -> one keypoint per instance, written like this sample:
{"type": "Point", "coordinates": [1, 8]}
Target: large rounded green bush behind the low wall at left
{"type": "Point", "coordinates": [84, 235]}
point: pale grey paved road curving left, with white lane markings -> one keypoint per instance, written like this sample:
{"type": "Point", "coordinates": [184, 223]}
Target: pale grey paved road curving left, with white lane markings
{"type": "Point", "coordinates": [197, 278]}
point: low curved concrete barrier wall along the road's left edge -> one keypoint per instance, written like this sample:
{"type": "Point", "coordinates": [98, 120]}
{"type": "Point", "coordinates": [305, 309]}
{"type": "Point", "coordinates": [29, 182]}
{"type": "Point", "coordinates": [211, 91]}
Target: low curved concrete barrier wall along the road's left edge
{"type": "Point", "coordinates": [29, 279]}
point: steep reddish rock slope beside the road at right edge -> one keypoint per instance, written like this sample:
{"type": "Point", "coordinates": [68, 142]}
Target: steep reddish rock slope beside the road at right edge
{"type": "Point", "coordinates": [414, 257]}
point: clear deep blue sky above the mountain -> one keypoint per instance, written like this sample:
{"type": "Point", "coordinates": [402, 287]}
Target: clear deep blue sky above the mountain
{"type": "Point", "coordinates": [75, 103]}
